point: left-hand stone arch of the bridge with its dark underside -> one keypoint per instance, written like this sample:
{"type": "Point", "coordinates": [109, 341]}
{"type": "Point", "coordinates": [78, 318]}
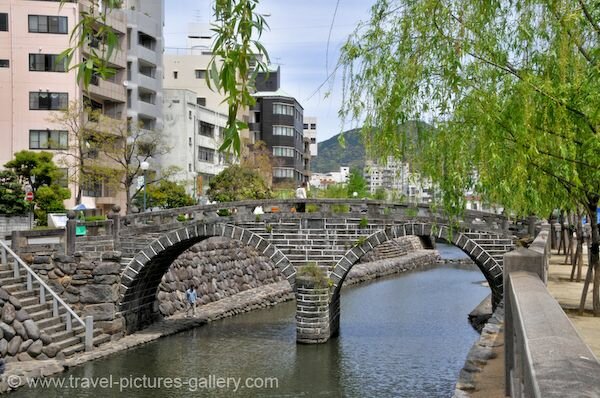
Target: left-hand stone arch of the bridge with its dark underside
{"type": "Point", "coordinates": [141, 277]}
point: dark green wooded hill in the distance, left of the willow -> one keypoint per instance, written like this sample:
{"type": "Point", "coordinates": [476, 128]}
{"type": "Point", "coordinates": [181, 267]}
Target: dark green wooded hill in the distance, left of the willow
{"type": "Point", "coordinates": [331, 155]}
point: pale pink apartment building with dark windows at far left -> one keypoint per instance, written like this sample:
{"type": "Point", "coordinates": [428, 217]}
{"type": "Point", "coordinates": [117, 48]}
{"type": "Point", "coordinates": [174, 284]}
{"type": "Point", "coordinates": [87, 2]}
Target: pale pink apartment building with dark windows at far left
{"type": "Point", "coordinates": [35, 83]}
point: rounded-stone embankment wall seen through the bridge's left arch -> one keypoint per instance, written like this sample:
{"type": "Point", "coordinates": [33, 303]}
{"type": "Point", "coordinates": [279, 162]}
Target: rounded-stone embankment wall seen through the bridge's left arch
{"type": "Point", "coordinates": [219, 268]}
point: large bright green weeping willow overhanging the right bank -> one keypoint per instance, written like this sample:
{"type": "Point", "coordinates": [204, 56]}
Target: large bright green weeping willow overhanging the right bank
{"type": "Point", "coordinates": [512, 88]}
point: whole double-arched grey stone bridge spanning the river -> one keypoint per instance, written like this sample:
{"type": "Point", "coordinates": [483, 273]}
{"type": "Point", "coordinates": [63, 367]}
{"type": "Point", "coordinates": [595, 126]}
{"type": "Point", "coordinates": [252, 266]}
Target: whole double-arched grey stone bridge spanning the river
{"type": "Point", "coordinates": [333, 233]}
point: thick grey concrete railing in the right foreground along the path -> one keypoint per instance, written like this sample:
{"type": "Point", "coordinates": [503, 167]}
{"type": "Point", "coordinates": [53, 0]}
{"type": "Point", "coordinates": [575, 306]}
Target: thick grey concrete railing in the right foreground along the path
{"type": "Point", "coordinates": [544, 355]}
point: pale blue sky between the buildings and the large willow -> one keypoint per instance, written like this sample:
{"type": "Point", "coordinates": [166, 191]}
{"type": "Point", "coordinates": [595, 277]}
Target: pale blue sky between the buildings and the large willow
{"type": "Point", "coordinates": [297, 41]}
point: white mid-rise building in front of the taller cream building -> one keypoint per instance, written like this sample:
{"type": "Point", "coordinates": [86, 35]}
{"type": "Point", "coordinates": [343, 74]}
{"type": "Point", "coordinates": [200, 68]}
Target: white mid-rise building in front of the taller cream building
{"type": "Point", "coordinates": [195, 134]}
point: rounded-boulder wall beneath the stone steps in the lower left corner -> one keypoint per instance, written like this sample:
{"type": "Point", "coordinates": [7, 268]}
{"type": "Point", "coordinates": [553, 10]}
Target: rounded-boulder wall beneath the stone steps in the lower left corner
{"type": "Point", "coordinates": [20, 336]}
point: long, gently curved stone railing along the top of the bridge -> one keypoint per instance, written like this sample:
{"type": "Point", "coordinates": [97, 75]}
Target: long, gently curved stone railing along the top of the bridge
{"type": "Point", "coordinates": [314, 208]}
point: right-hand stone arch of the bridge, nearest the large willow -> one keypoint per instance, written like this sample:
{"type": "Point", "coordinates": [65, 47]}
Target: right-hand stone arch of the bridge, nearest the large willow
{"type": "Point", "coordinates": [487, 264]}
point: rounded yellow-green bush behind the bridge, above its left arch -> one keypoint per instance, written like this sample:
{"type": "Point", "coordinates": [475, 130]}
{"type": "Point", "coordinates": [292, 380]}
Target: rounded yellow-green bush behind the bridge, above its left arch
{"type": "Point", "coordinates": [238, 183]}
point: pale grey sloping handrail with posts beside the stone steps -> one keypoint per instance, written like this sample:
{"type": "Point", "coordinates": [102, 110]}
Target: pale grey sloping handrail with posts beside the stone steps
{"type": "Point", "coordinates": [88, 323]}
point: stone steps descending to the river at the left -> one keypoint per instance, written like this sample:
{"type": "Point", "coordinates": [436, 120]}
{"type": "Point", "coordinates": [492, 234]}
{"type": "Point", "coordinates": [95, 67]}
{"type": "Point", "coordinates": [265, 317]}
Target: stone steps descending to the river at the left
{"type": "Point", "coordinates": [68, 342]}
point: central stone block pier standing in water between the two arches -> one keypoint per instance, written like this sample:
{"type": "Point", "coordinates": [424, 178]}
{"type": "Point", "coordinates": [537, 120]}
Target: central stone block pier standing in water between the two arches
{"type": "Point", "coordinates": [317, 316]}
